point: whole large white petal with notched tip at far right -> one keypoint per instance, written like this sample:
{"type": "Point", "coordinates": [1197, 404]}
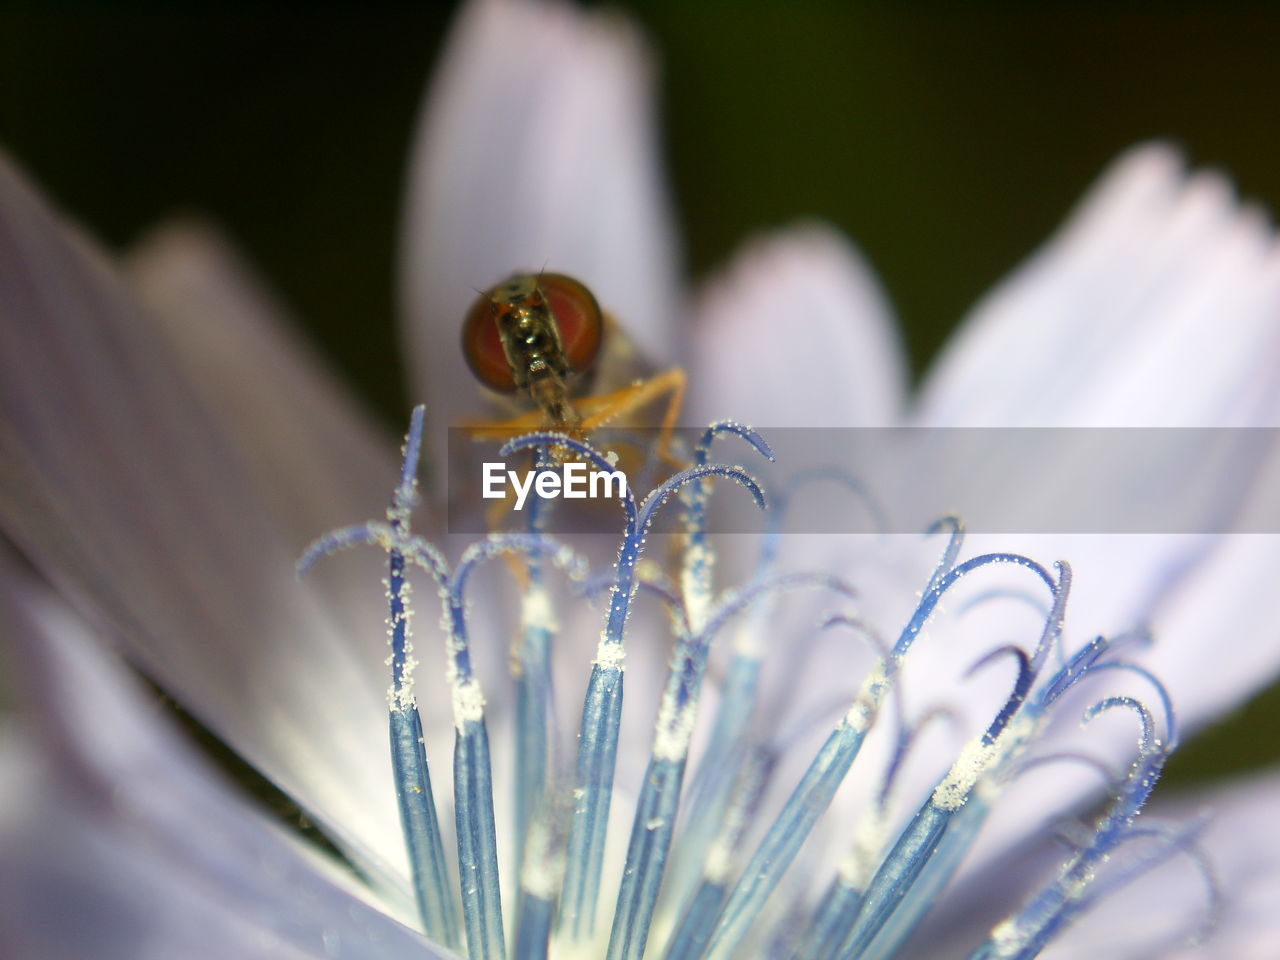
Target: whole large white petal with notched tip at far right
{"type": "Point", "coordinates": [1155, 305]}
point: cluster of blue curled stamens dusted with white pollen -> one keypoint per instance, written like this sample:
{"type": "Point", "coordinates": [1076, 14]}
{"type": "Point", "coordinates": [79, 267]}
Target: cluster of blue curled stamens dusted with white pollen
{"type": "Point", "coordinates": [724, 880]}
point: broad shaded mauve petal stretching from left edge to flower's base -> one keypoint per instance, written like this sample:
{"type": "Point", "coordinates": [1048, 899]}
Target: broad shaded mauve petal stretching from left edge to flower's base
{"type": "Point", "coordinates": [124, 488]}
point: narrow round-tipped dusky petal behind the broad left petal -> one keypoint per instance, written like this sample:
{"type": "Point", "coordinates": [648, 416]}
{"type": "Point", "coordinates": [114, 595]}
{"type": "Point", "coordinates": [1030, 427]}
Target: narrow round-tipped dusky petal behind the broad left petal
{"type": "Point", "coordinates": [317, 459]}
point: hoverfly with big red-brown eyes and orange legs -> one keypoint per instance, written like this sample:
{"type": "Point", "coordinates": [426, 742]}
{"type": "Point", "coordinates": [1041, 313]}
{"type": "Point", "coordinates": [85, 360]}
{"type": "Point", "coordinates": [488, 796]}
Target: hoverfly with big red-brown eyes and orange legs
{"type": "Point", "coordinates": [545, 339]}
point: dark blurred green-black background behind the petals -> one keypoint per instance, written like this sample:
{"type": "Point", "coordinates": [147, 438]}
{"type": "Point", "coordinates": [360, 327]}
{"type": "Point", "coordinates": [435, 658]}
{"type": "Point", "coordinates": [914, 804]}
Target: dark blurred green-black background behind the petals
{"type": "Point", "coordinates": [948, 140]}
